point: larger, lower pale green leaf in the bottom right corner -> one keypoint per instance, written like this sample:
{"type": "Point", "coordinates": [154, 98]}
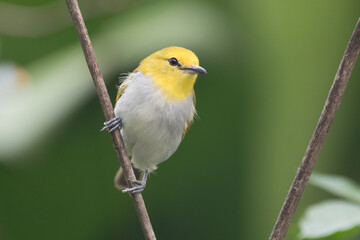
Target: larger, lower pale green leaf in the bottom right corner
{"type": "Point", "coordinates": [330, 218]}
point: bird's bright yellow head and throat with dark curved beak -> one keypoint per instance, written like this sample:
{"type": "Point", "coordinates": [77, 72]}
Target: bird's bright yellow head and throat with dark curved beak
{"type": "Point", "coordinates": [174, 70]}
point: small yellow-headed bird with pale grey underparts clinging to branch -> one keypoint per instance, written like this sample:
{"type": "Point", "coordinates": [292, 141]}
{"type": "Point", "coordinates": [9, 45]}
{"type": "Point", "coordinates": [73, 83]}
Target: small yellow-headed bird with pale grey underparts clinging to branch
{"type": "Point", "coordinates": [155, 108]}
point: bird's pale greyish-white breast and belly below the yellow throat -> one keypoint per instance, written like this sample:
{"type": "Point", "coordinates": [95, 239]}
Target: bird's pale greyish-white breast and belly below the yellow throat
{"type": "Point", "coordinates": [152, 126]}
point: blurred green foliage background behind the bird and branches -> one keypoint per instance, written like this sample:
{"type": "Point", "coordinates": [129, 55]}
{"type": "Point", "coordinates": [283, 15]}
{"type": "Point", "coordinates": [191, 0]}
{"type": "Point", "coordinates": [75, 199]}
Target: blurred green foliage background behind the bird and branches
{"type": "Point", "coordinates": [270, 66]}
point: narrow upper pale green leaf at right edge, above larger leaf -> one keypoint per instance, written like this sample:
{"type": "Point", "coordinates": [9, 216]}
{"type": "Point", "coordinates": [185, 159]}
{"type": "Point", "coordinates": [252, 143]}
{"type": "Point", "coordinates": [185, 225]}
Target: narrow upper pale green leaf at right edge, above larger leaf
{"type": "Point", "coordinates": [337, 185]}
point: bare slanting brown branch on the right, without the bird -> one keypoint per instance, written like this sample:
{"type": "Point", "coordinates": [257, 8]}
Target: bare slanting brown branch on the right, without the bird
{"type": "Point", "coordinates": [313, 150]}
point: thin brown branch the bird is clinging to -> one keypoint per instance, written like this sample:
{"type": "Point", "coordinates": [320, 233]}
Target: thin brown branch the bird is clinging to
{"type": "Point", "coordinates": [109, 114]}
